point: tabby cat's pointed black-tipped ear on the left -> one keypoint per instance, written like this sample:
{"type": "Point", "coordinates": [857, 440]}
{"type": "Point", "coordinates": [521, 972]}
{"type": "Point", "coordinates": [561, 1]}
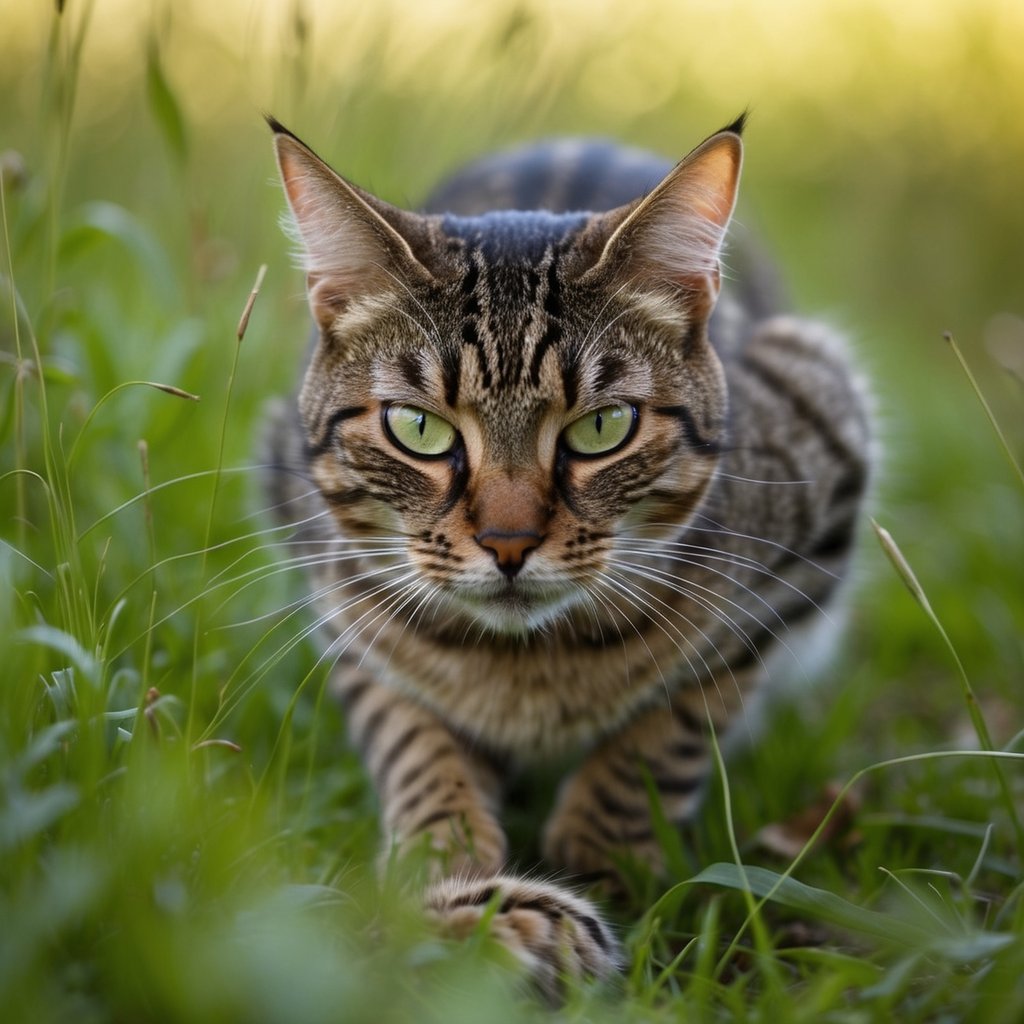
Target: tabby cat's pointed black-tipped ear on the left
{"type": "Point", "coordinates": [353, 243]}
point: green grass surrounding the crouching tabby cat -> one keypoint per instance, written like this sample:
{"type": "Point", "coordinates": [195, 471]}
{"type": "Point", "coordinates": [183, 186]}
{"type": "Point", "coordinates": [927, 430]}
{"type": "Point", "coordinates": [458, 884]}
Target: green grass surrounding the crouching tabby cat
{"type": "Point", "coordinates": [184, 833]}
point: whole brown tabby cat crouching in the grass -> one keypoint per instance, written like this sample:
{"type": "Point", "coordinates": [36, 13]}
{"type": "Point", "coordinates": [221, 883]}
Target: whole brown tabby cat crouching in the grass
{"type": "Point", "coordinates": [551, 506]}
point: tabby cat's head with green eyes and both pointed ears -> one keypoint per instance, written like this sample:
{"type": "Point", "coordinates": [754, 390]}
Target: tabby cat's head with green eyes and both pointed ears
{"type": "Point", "coordinates": [510, 394]}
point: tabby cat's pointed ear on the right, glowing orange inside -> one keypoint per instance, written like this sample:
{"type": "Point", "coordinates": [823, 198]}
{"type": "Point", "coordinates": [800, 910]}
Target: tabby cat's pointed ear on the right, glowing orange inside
{"type": "Point", "coordinates": [673, 238]}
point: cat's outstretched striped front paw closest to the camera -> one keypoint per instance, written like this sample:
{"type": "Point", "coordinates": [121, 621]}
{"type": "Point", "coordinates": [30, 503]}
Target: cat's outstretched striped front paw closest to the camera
{"type": "Point", "coordinates": [552, 932]}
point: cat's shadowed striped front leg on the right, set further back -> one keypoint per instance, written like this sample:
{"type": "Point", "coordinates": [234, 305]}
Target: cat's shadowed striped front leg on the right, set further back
{"type": "Point", "coordinates": [604, 812]}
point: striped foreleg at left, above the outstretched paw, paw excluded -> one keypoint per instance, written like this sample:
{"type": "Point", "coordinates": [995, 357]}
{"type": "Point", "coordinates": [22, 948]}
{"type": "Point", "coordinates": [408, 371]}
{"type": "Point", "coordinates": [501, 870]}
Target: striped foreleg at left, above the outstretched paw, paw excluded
{"type": "Point", "coordinates": [433, 791]}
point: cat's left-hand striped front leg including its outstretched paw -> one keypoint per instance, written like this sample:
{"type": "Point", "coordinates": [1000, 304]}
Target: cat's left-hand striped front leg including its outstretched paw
{"type": "Point", "coordinates": [434, 791]}
